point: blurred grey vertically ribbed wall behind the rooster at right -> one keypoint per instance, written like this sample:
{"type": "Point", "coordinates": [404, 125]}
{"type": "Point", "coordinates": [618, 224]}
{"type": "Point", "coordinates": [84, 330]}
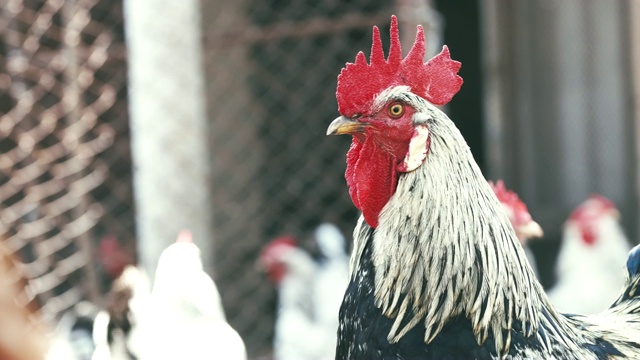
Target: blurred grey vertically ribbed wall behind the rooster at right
{"type": "Point", "coordinates": [559, 112]}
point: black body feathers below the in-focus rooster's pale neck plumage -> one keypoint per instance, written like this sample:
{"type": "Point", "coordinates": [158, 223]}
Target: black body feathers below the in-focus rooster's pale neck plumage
{"type": "Point", "coordinates": [363, 331]}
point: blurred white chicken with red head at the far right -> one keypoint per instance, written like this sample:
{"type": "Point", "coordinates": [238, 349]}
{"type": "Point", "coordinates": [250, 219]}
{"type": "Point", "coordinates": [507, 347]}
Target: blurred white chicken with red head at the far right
{"type": "Point", "coordinates": [590, 263]}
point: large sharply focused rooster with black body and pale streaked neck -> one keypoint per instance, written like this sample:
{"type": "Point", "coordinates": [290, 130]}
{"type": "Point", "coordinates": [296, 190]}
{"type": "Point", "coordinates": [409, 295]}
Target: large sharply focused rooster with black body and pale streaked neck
{"type": "Point", "coordinates": [437, 271]}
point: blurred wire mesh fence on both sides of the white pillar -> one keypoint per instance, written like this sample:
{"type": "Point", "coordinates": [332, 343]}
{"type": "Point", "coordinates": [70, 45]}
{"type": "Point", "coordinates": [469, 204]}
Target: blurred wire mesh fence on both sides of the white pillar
{"type": "Point", "coordinates": [66, 182]}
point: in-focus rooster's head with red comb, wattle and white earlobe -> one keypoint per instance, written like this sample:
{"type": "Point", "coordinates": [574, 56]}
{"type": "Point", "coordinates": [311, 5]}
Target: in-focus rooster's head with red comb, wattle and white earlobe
{"type": "Point", "coordinates": [385, 104]}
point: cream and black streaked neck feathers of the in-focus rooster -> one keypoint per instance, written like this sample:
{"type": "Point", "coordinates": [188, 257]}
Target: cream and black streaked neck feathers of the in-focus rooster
{"type": "Point", "coordinates": [445, 222]}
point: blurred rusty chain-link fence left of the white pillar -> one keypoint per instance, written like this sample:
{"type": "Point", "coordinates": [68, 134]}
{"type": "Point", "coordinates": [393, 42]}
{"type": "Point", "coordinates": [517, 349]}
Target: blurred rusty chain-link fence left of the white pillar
{"type": "Point", "coordinates": [65, 169]}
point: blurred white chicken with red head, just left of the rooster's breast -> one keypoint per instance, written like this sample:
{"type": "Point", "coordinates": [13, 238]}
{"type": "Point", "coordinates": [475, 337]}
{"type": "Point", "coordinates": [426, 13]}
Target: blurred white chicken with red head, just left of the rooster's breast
{"type": "Point", "coordinates": [309, 294]}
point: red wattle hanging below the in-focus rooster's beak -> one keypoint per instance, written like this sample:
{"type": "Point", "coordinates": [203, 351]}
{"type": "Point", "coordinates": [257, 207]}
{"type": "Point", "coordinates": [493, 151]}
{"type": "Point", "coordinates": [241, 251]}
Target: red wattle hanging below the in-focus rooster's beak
{"type": "Point", "coordinates": [371, 177]}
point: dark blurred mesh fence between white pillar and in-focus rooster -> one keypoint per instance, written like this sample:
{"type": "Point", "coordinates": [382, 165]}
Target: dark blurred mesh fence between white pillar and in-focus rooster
{"type": "Point", "coordinates": [275, 171]}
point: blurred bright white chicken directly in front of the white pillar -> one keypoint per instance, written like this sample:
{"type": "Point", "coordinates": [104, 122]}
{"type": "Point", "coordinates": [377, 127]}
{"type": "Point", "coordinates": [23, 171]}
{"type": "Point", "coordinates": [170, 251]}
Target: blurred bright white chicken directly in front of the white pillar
{"type": "Point", "coordinates": [185, 318]}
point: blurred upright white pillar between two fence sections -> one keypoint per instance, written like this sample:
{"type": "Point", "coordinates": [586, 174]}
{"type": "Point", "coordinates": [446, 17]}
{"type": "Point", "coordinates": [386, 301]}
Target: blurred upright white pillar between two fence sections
{"type": "Point", "coordinates": [169, 126]}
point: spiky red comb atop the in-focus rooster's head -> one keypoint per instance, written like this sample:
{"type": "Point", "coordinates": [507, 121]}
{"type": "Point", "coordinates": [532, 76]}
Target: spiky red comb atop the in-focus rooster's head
{"type": "Point", "coordinates": [359, 83]}
